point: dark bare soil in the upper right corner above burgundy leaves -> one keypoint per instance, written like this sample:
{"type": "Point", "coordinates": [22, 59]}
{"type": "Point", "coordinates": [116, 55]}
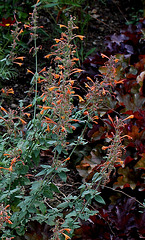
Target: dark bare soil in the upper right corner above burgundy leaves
{"type": "Point", "coordinates": [110, 18]}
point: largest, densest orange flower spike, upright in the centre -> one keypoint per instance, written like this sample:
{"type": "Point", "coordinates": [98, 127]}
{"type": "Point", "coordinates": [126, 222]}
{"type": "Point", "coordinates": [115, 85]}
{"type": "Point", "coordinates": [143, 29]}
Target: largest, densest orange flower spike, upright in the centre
{"type": "Point", "coordinates": [57, 86]}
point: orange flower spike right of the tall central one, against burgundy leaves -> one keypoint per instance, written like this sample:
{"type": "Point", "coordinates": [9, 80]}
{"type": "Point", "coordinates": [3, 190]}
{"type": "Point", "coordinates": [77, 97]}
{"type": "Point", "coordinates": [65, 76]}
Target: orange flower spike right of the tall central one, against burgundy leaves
{"type": "Point", "coordinates": [101, 91]}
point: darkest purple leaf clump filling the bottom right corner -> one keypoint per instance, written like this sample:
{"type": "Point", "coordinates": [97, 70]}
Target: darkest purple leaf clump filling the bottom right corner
{"type": "Point", "coordinates": [118, 221]}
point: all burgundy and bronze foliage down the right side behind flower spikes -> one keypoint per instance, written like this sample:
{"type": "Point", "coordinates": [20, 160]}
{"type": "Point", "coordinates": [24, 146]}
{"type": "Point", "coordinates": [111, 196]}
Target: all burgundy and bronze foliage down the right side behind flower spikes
{"type": "Point", "coordinates": [121, 218]}
